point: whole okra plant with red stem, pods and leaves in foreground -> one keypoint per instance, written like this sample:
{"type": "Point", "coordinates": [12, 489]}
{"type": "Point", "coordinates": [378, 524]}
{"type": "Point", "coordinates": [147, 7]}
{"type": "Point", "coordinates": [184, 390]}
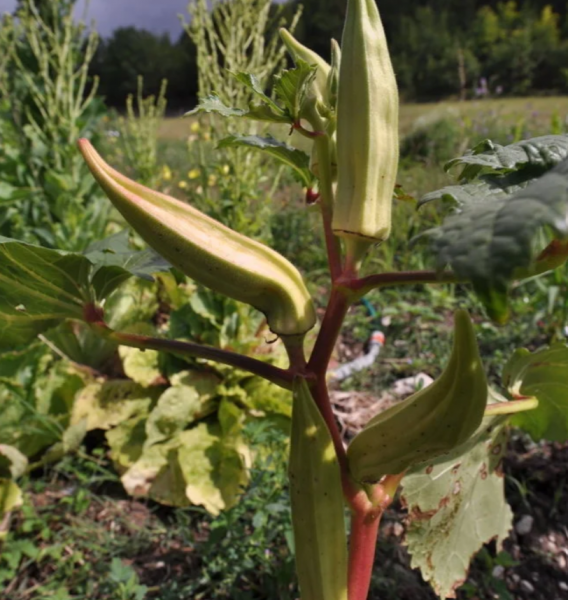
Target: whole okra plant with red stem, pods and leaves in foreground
{"type": "Point", "coordinates": [442, 447]}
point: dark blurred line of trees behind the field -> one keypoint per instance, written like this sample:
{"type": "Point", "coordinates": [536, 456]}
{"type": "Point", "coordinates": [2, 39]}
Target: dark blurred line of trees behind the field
{"type": "Point", "coordinates": [440, 48]}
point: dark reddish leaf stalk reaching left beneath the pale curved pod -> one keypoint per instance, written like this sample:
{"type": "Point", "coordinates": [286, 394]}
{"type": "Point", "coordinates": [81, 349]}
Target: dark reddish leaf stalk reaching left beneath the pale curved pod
{"type": "Point", "coordinates": [280, 377]}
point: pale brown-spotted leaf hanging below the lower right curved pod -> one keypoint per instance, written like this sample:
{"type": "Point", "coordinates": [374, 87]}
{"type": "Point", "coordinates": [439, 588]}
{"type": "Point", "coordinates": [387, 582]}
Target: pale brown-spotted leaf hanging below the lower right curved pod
{"type": "Point", "coordinates": [457, 505]}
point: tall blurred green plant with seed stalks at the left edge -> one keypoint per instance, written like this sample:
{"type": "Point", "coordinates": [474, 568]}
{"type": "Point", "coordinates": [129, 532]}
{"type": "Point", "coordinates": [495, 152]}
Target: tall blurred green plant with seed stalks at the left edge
{"type": "Point", "coordinates": [47, 196]}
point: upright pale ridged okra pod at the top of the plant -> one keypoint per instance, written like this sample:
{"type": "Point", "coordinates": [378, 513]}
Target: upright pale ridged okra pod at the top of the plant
{"type": "Point", "coordinates": [367, 129]}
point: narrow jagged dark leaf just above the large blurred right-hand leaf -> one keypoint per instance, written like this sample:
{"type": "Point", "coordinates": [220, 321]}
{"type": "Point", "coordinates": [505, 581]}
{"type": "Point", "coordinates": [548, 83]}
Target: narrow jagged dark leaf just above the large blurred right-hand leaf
{"type": "Point", "coordinates": [537, 154]}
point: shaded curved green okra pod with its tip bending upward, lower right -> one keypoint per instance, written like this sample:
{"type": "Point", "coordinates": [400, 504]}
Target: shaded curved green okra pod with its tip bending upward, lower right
{"type": "Point", "coordinates": [432, 421]}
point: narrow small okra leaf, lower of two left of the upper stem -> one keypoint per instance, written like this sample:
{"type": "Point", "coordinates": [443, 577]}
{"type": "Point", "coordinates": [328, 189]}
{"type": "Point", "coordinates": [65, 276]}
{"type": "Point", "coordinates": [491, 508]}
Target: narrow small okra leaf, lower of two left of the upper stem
{"type": "Point", "coordinates": [296, 159]}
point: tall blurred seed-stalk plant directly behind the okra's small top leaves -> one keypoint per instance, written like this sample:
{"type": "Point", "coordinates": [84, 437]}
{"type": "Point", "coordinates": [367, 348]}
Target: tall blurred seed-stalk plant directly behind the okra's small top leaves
{"type": "Point", "coordinates": [231, 38]}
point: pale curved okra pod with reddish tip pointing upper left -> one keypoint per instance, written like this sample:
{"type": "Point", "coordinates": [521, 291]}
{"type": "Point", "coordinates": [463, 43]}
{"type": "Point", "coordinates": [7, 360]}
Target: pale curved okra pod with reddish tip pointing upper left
{"type": "Point", "coordinates": [208, 251]}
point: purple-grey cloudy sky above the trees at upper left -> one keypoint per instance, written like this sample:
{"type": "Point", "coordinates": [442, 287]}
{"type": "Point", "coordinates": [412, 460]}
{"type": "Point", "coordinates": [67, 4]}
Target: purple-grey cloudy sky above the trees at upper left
{"type": "Point", "coordinates": [158, 16]}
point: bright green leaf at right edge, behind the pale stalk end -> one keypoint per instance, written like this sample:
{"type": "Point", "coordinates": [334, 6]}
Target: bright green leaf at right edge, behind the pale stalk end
{"type": "Point", "coordinates": [542, 374]}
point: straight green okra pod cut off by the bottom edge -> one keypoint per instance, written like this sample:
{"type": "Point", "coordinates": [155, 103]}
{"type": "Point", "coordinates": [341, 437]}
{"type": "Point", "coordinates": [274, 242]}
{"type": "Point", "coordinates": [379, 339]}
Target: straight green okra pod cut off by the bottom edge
{"type": "Point", "coordinates": [316, 495]}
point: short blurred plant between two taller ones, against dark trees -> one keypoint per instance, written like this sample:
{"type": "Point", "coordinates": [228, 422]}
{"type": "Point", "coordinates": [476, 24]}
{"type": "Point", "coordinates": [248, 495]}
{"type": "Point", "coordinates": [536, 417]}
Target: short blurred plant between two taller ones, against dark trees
{"type": "Point", "coordinates": [139, 133]}
